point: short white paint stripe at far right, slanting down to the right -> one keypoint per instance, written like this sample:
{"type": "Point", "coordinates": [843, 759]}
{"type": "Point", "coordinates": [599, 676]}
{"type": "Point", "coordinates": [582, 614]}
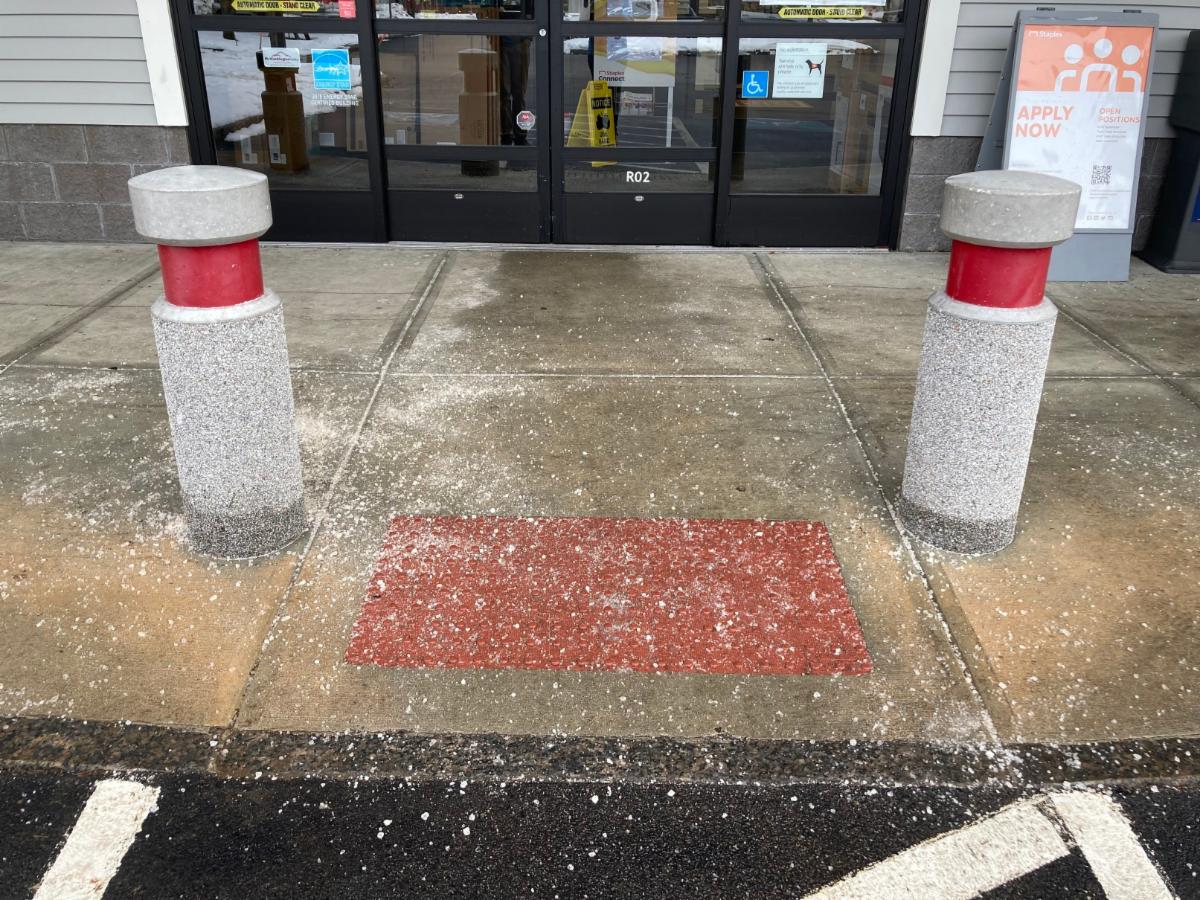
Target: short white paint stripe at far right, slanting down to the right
{"type": "Point", "coordinates": [1112, 849]}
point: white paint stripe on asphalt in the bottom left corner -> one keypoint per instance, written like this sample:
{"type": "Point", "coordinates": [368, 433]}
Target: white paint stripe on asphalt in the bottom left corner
{"type": "Point", "coordinates": [99, 842]}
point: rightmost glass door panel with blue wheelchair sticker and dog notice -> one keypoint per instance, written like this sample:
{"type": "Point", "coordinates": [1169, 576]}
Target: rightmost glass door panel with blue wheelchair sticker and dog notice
{"type": "Point", "coordinates": [813, 154]}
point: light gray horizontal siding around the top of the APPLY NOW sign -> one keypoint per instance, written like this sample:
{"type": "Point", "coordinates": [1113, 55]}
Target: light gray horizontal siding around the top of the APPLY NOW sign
{"type": "Point", "coordinates": [983, 35]}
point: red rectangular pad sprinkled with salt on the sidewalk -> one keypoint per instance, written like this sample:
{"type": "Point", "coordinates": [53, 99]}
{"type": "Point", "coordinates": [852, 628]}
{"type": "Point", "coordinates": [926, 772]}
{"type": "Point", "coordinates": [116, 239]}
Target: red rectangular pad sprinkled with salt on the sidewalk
{"type": "Point", "coordinates": [724, 597]}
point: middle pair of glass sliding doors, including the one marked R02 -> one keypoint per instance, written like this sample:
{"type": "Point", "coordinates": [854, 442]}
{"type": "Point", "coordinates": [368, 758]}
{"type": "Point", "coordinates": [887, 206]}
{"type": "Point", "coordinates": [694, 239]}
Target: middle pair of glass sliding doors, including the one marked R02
{"type": "Point", "coordinates": [593, 128]}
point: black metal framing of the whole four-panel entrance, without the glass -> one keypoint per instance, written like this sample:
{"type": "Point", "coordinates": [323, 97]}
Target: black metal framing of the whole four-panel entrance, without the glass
{"type": "Point", "coordinates": [373, 215]}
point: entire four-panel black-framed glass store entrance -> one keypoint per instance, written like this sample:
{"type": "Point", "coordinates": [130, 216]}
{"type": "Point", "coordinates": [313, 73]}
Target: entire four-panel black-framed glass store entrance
{"type": "Point", "coordinates": [577, 122]}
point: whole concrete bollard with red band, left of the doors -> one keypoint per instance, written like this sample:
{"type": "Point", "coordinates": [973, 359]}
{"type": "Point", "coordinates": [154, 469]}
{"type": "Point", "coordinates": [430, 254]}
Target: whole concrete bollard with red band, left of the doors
{"type": "Point", "coordinates": [224, 359]}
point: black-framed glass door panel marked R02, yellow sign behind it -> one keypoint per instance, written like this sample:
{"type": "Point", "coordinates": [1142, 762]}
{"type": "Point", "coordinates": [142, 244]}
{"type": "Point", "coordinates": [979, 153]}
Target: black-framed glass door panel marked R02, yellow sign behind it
{"type": "Point", "coordinates": [645, 175]}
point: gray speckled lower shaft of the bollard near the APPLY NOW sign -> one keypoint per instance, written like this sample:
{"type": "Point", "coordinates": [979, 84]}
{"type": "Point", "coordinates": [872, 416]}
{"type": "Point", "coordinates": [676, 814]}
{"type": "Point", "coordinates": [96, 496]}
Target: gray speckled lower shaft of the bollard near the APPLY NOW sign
{"type": "Point", "coordinates": [979, 392]}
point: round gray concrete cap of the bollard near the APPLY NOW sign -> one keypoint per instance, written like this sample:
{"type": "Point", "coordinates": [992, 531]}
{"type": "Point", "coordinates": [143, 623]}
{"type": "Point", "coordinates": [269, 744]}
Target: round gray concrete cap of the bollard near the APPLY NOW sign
{"type": "Point", "coordinates": [1010, 209]}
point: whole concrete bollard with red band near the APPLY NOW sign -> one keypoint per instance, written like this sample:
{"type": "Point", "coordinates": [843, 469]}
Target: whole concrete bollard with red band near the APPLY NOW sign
{"type": "Point", "coordinates": [985, 358]}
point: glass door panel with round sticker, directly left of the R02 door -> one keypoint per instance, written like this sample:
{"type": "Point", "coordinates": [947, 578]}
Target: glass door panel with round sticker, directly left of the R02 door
{"type": "Point", "coordinates": [460, 88]}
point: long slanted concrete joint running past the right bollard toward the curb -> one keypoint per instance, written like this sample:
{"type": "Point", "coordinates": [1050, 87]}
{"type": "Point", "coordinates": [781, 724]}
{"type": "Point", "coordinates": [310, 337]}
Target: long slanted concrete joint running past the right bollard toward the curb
{"type": "Point", "coordinates": [781, 296]}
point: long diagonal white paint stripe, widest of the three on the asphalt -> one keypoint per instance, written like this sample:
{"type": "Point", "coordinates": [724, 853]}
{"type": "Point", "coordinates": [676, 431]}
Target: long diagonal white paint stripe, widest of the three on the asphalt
{"type": "Point", "coordinates": [962, 865]}
